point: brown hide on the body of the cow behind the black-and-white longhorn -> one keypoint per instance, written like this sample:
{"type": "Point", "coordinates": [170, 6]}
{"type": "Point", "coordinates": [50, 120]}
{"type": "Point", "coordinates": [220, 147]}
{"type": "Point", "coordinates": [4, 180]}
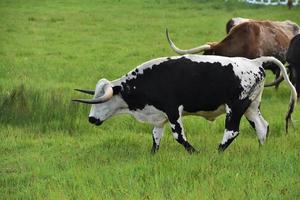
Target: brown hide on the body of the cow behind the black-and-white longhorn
{"type": "Point", "coordinates": [253, 39]}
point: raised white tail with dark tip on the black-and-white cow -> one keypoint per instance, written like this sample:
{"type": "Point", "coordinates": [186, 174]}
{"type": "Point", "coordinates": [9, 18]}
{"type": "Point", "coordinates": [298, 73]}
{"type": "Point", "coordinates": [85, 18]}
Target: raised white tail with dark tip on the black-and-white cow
{"type": "Point", "coordinates": [293, 98]}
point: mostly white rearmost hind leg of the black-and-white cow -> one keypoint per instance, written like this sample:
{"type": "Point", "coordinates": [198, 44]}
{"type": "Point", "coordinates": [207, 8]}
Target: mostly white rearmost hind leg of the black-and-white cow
{"type": "Point", "coordinates": [257, 121]}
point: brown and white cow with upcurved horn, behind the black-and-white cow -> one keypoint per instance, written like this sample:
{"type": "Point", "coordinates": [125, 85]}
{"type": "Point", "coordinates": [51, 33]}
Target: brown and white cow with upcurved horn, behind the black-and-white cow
{"type": "Point", "coordinates": [251, 39]}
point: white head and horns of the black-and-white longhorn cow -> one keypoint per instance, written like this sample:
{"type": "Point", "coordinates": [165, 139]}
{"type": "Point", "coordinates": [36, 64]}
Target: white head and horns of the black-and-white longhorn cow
{"type": "Point", "coordinates": [105, 103]}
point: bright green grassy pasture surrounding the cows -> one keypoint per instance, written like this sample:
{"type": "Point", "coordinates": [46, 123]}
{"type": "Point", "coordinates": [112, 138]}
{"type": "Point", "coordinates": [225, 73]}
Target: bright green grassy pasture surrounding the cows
{"type": "Point", "coordinates": [48, 150]}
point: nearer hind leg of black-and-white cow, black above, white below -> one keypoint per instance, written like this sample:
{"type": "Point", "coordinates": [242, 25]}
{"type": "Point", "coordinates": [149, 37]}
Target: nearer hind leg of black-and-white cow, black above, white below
{"type": "Point", "coordinates": [234, 114]}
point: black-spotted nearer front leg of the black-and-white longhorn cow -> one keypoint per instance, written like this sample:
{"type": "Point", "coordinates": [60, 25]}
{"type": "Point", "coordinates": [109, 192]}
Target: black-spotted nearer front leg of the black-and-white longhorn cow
{"type": "Point", "coordinates": [175, 119]}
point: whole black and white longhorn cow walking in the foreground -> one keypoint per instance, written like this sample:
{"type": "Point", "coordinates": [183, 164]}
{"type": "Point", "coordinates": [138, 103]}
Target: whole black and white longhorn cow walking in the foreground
{"type": "Point", "coordinates": [165, 89]}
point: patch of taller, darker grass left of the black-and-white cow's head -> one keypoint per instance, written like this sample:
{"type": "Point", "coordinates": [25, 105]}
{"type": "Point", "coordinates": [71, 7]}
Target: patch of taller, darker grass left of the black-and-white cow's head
{"type": "Point", "coordinates": [42, 111]}
